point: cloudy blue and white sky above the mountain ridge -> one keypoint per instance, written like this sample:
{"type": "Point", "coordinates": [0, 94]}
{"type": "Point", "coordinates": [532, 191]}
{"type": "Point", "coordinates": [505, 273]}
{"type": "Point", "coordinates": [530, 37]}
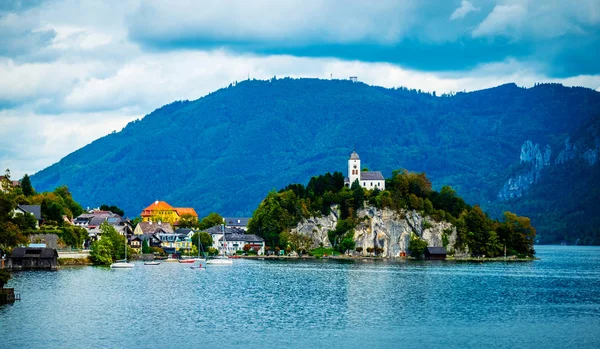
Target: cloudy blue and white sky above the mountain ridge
{"type": "Point", "coordinates": [72, 71]}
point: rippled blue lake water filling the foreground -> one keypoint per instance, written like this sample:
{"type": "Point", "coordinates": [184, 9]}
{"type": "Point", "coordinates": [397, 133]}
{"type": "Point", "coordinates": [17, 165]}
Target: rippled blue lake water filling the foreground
{"type": "Point", "coordinates": [550, 303]}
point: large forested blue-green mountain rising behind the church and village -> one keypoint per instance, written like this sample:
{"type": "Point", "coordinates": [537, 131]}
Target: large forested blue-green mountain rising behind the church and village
{"type": "Point", "coordinates": [225, 151]}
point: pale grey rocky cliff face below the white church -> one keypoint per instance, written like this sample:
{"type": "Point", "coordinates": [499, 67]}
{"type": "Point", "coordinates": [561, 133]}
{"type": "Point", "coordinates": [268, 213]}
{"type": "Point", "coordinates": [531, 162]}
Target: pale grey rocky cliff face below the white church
{"type": "Point", "coordinates": [386, 229]}
